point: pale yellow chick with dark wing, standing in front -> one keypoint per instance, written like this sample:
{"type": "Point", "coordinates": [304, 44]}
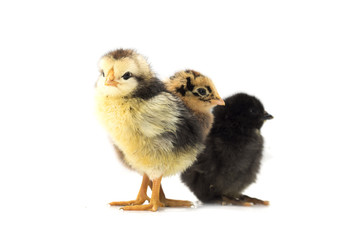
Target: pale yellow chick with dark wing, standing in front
{"type": "Point", "coordinates": [156, 133]}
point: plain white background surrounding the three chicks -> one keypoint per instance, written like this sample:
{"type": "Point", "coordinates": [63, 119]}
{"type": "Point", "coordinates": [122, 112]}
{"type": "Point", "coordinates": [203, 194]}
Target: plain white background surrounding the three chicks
{"type": "Point", "coordinates": [301, 58]}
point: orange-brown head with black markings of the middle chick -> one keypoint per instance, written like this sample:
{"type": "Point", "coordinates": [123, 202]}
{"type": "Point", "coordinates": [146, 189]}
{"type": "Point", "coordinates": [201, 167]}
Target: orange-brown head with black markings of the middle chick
{"type": "Point", "coordinates": [196, 90]}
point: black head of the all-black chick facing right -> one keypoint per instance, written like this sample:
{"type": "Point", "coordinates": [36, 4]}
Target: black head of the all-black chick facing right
{"type": "Point", "coordinates": [243, 110]}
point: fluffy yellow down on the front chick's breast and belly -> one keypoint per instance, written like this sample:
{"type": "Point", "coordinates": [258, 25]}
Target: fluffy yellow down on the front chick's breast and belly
{"type": "Point", "coordinates": [135, 126]}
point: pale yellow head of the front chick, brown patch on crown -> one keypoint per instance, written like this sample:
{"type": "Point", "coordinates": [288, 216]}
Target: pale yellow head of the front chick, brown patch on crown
{"type": "Point", "coordinates": [121, 71]}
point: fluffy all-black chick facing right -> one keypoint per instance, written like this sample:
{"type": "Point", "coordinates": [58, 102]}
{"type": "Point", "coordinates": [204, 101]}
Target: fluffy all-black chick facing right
{"type": "Point", "coordinates": [233, 153]}
